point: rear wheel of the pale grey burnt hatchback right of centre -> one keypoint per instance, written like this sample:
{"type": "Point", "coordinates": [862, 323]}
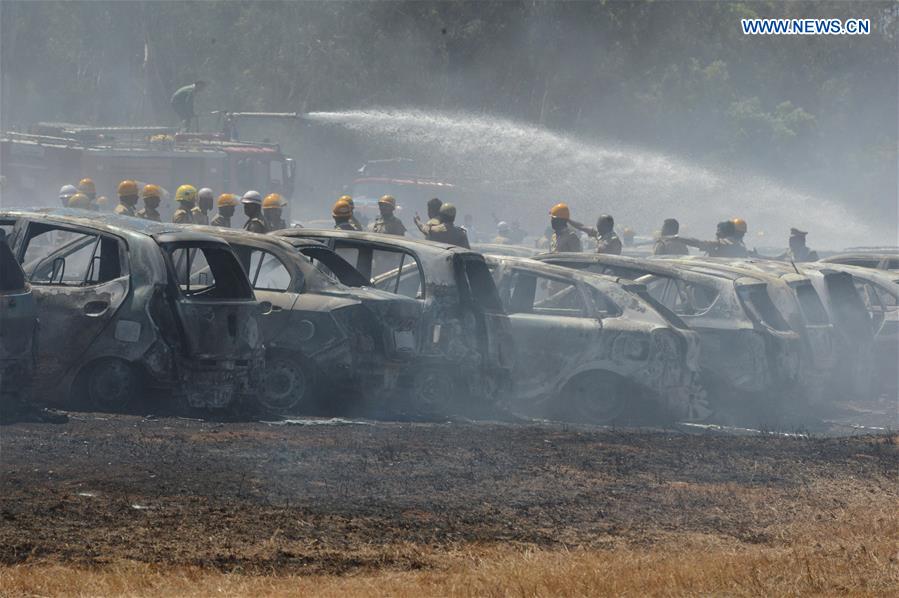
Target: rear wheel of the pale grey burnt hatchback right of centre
{"type": "Point", "coordinates": [593, 397]}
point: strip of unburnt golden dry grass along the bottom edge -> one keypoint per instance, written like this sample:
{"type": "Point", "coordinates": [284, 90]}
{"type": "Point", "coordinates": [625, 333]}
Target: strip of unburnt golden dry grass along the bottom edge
{"type": "Point", "coordinates": [849, 552]}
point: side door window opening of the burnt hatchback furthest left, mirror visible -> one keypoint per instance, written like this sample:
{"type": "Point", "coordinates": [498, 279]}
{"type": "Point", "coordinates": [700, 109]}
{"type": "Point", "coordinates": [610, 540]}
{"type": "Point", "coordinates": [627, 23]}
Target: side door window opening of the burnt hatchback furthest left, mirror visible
{"type": "Point", "coordinates": [59, 256]}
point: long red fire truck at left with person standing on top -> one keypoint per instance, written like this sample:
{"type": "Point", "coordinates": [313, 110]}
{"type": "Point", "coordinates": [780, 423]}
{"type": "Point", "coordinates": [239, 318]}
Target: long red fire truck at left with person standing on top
{"type": "Point", "coordinates": [36, 164]}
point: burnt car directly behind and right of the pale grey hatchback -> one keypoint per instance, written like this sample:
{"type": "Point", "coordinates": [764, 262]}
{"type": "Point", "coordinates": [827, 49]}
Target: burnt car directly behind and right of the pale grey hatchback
{"type": "Point", "coordinates": [748, 352]}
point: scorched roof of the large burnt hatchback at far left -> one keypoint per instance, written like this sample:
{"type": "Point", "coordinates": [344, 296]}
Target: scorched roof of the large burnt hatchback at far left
{"type": "Point", "coordinates": [115, 224]}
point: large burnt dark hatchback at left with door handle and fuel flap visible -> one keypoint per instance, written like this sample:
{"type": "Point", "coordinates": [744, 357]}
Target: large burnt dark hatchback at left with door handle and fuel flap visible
{"type": "Point", "coordinates": [127, 305]}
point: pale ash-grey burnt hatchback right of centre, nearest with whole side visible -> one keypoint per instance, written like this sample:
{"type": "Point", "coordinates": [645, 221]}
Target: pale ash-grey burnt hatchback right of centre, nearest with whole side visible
{"type": "Point", "coordinates": [593, 348]}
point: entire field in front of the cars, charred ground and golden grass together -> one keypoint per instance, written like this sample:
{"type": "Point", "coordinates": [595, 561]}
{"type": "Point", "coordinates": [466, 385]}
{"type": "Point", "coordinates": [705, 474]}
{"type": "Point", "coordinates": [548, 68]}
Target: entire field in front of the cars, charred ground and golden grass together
{"type": "Point", "coordinates": [118, 505]}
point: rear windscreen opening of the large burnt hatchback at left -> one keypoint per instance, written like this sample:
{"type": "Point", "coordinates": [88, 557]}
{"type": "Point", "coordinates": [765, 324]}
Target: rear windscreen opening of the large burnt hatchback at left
{"type": "Point", "coordinates": [208, 273]}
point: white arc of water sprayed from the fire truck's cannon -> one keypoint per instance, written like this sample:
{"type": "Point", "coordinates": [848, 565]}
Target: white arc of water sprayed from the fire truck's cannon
{"type": "Point", "coordinates": [531, 168]}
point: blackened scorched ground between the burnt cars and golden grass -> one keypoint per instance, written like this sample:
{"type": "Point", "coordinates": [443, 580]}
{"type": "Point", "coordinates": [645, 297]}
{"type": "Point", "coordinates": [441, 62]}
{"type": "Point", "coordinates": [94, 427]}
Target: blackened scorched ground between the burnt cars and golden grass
{"type": "Point", "coordinates": [320, 498]}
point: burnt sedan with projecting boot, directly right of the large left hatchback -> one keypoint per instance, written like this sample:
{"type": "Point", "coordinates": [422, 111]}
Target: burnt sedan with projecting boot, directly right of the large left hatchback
{"type": "Point", "coordinates": [327, 344]}
